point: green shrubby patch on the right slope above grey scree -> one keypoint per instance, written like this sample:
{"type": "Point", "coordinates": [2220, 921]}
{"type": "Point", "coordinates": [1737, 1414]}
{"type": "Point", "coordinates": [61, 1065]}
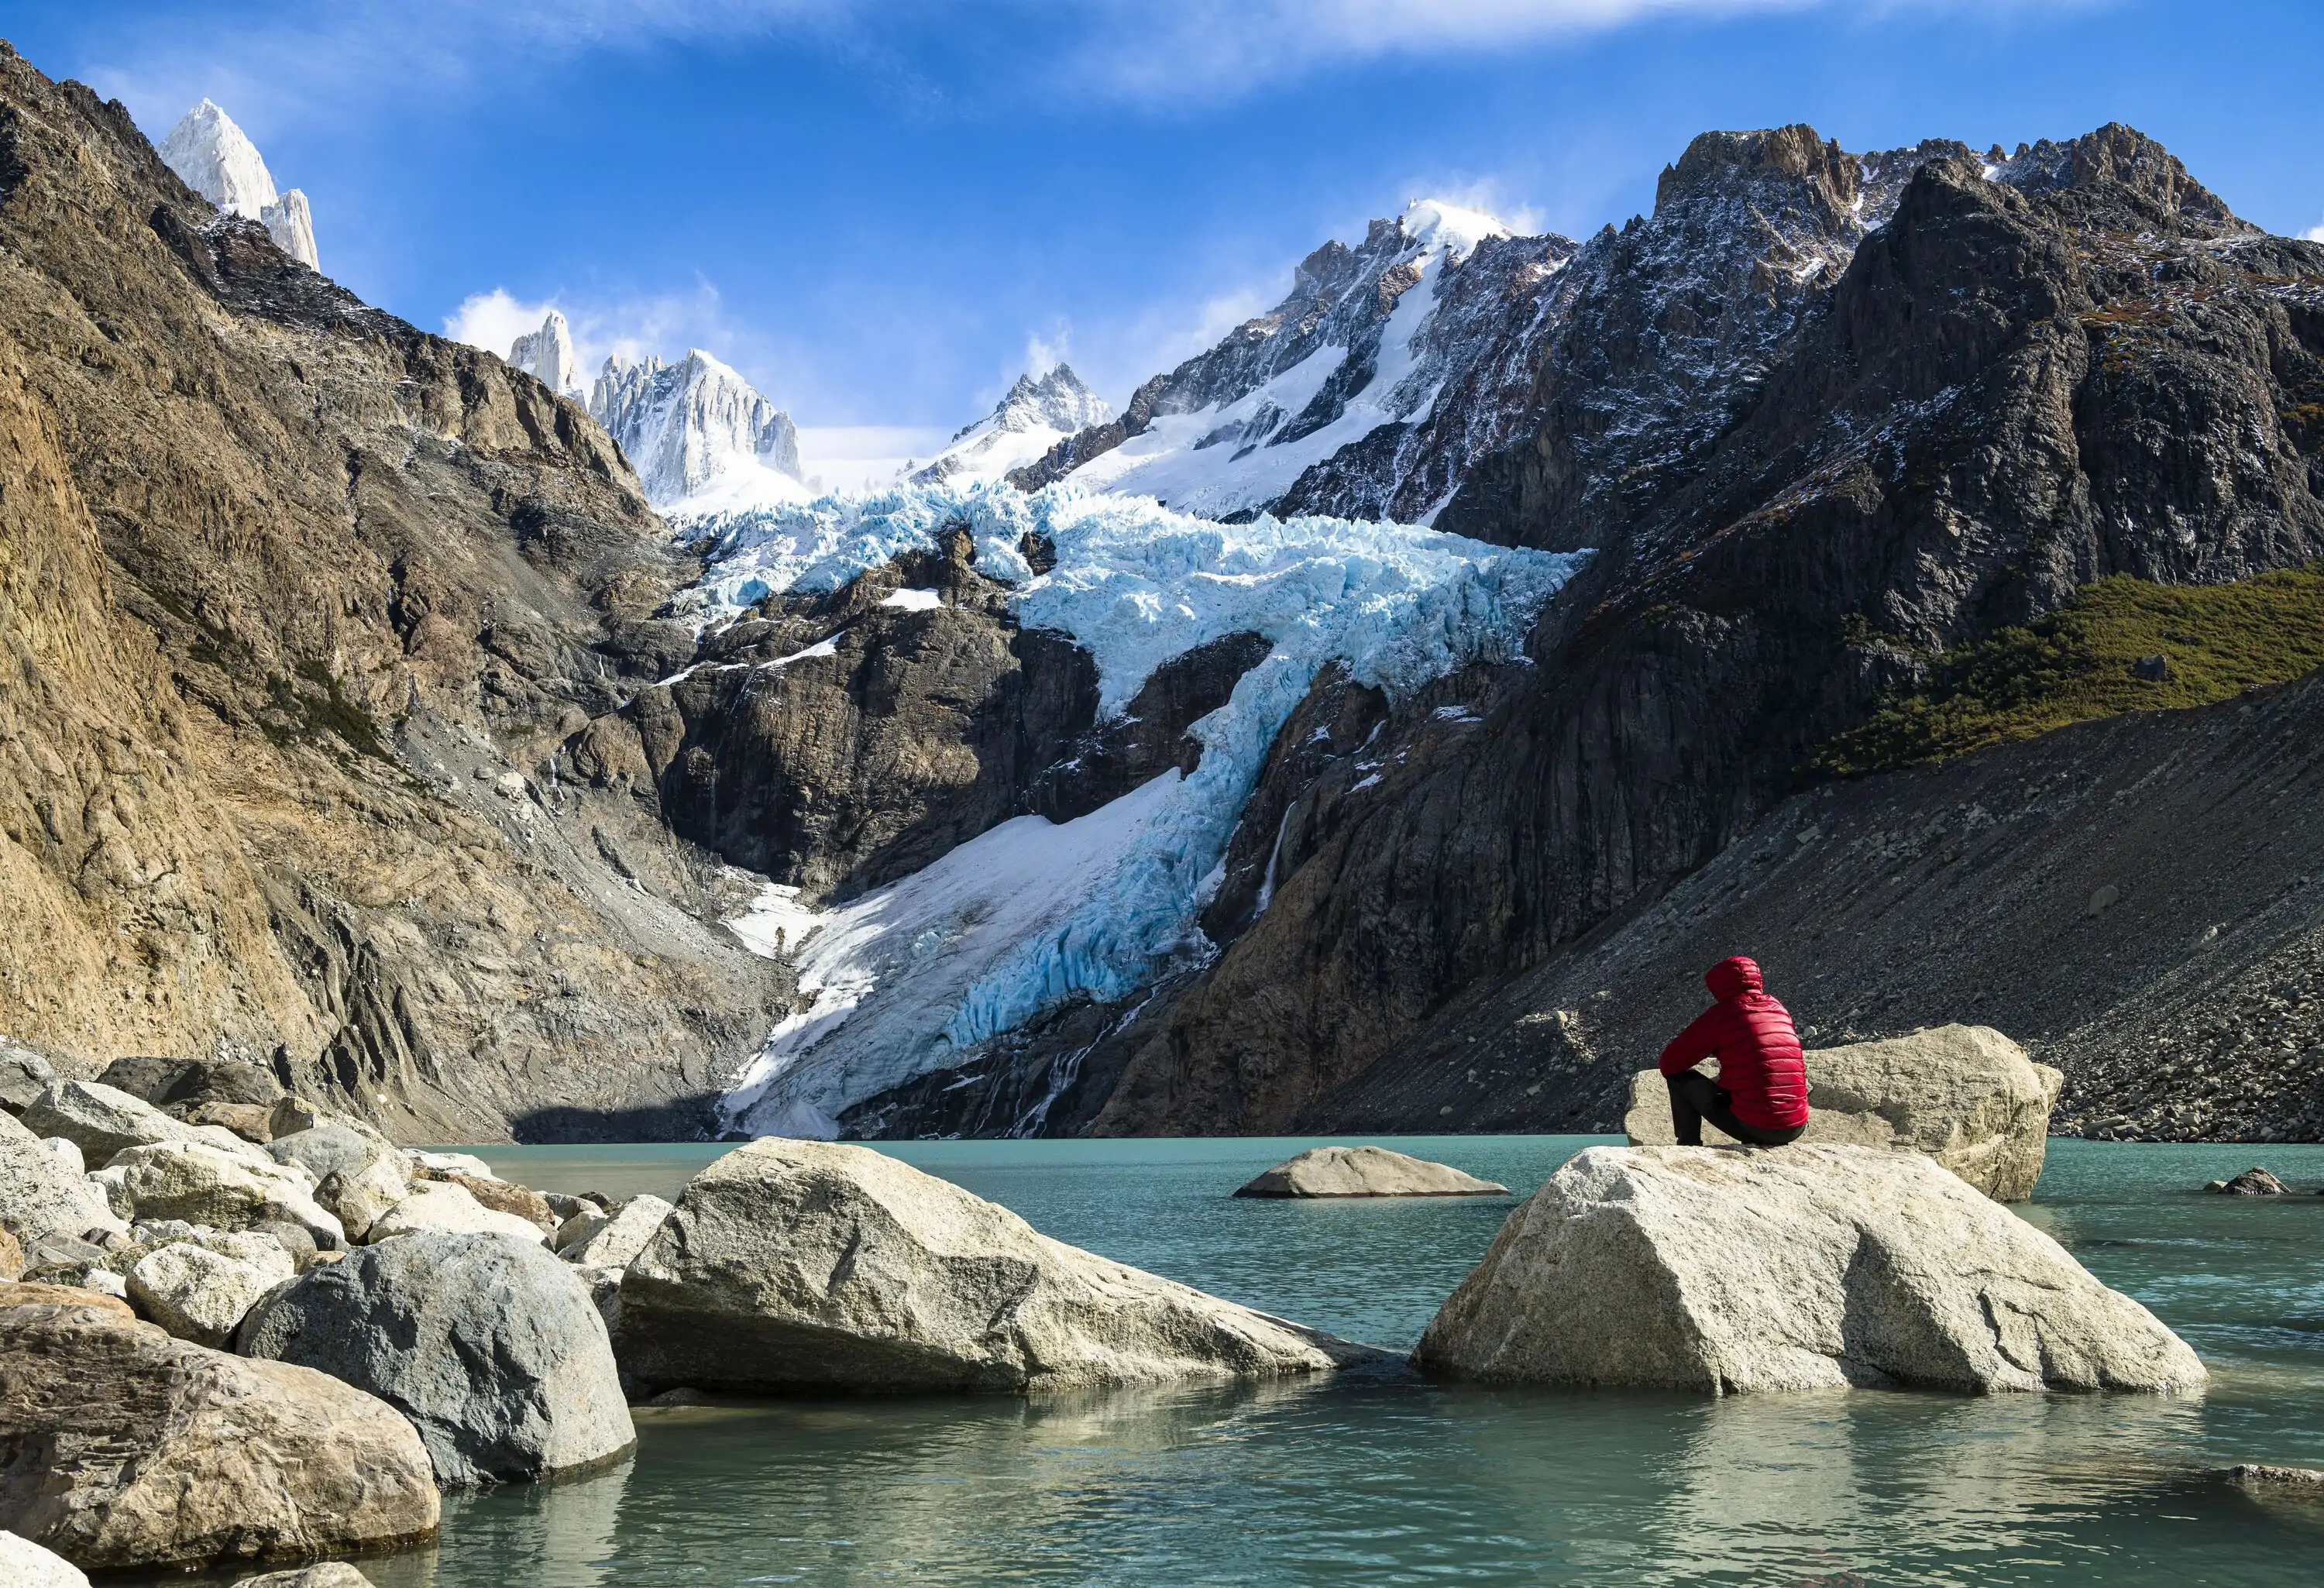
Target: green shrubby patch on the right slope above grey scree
{"type": "Point", "coordinates": [2083, 661]}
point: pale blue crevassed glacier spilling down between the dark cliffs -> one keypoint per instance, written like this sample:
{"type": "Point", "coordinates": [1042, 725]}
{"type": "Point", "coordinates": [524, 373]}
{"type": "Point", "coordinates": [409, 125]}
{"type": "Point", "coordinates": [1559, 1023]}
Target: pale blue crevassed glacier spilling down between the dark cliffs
{"type": "Point", "coordinates": [1033, 913]}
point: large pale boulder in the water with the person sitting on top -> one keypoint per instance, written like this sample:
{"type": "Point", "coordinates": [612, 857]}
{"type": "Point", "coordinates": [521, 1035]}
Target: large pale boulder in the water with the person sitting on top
{"type": "Point", "coordinates": [1793, 1268]}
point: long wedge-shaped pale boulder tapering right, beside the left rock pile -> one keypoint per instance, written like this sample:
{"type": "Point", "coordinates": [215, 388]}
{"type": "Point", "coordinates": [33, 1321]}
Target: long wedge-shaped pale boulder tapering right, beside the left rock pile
{"type": "Point", "coordinates": [810, 1266]}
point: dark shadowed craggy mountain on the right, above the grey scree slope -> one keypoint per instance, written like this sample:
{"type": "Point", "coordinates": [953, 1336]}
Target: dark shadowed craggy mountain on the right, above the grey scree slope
{"type": "Point", "coordinates": [2018, 385]}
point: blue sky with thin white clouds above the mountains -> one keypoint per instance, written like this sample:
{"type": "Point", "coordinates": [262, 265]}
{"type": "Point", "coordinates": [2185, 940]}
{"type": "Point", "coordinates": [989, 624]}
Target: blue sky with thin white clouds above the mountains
{"type": "Point", "coordinates": [882, 210]}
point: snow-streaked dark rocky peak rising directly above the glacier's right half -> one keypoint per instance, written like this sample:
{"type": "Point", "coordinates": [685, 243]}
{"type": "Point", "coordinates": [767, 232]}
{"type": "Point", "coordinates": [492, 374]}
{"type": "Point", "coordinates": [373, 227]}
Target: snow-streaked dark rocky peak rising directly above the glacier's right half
{"type": "Point", "coordinates": [1426, 329]}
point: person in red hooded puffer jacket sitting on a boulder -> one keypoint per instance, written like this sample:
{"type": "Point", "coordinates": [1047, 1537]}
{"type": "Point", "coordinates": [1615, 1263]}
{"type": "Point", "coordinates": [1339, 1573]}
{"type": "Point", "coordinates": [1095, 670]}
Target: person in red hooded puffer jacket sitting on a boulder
{"type": "Point", "coordinates": [1763, 1089]}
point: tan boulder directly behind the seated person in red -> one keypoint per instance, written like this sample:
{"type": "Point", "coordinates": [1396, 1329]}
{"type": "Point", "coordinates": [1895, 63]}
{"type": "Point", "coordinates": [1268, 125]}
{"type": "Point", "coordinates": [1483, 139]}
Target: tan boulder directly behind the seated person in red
{"type": "Point", "coordinates": [1960, 1094]}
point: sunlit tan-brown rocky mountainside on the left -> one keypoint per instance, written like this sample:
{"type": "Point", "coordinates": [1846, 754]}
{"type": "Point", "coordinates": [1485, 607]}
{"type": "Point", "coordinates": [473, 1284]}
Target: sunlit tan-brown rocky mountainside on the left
{"type": "Point", "coordinates": [280, 580]}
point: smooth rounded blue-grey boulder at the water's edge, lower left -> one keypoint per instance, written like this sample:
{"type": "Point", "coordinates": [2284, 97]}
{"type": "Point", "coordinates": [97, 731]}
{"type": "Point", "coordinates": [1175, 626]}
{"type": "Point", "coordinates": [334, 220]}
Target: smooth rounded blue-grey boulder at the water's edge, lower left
{"type": "Point", "coordinates": [487, 1343]}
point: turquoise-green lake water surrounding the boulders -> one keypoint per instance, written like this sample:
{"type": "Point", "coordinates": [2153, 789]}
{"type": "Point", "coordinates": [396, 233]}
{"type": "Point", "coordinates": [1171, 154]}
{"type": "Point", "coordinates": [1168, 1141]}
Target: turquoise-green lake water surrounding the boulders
{"type": "Point", "coordinates": [1396, 1480]}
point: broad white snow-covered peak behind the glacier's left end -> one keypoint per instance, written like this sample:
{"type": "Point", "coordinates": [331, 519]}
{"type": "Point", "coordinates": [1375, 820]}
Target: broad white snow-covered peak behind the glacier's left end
{"type": "Point", "coordinates": [698, 436]}
